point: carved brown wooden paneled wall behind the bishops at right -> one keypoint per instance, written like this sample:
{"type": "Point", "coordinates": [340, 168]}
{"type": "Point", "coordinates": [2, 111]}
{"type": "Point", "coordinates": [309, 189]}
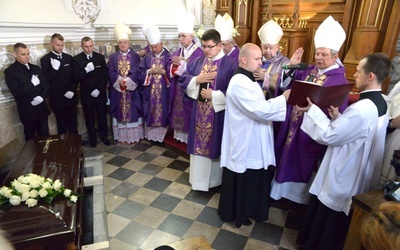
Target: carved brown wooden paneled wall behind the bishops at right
{"type": "Point", "coordinates": [371, 26]}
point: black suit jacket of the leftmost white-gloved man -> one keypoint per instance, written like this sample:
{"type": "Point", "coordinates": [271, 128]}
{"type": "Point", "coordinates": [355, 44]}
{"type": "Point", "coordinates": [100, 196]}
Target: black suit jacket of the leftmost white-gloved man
{"type": "Point", "coordinates": [18, 79]}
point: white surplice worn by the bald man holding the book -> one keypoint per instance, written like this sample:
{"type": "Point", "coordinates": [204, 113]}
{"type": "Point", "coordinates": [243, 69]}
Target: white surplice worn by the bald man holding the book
{"type": "Point", "coordinates": [248, 139]}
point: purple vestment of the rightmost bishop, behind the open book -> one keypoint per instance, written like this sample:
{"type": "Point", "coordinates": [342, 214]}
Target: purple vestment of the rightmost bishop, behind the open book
{"type": "Point", "coordinates": [297, 155]}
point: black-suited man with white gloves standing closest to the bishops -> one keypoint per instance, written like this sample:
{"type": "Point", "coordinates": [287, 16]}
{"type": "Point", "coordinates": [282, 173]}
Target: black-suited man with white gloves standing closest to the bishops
{"type": "Point", "coordinates": [90, 69]}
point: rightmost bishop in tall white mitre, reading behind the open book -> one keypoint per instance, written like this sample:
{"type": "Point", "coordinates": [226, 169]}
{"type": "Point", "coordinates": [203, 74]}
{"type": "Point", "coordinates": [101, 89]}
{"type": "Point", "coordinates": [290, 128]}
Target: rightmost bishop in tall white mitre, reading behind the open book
{"type": "Point", "coordinates": [298, 155]}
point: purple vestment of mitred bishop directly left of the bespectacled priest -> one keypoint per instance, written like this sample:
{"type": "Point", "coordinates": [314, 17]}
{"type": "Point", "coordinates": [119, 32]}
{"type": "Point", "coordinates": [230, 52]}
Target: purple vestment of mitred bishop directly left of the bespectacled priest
{"type": "Point", "coordinates": [180, 104]}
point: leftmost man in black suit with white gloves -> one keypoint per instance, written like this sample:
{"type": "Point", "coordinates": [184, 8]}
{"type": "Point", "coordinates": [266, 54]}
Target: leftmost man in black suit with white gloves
{"type": "Point", "coordinates": [29, 87]}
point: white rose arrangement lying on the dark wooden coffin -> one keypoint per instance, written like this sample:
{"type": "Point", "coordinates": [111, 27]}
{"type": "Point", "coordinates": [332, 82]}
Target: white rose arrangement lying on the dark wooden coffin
{"type": "Point", "coordinates": [32, 187]}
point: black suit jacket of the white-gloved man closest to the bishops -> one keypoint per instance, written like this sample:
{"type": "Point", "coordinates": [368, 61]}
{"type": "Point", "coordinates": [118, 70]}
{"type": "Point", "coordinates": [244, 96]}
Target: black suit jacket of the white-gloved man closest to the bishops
{"type": "Point", "coordinates": [96, 79]}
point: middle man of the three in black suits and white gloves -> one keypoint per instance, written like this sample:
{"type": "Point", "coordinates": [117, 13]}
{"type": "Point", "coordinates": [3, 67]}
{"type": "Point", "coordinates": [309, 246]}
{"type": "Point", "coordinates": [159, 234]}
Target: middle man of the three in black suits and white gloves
{"type": "Point", "coordinates": [57, 68]}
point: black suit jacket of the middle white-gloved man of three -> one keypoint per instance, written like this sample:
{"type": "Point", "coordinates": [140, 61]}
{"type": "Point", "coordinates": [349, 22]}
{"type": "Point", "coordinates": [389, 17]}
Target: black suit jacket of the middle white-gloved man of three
{"type": "Point", "coordinates": [60, 80]}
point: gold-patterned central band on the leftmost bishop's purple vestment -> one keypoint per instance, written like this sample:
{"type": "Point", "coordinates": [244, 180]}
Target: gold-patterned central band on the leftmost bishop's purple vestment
{"type": "Point", "coordinates": [125, 102]}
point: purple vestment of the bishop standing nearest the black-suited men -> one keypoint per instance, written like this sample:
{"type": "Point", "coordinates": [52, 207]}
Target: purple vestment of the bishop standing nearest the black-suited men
{"type": "Point", "coordinates": [125, 107]}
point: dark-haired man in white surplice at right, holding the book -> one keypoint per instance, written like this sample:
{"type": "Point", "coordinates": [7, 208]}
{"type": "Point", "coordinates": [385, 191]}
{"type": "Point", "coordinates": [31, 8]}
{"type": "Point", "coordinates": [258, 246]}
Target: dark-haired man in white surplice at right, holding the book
{"type": "Point", "coordinates": [352, 162]}
